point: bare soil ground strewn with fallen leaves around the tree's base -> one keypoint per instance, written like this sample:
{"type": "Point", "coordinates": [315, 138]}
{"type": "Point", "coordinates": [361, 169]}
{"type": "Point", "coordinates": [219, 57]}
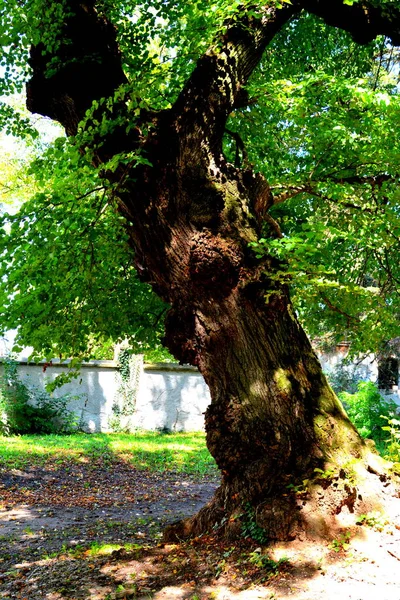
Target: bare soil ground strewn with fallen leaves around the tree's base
{"type": "Point", "coordinates": [93, 532]}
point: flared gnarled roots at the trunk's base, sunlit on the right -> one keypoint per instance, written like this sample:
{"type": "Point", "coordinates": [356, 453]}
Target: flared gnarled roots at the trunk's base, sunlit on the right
{"type": "Point", "coordinates": [315, 509]}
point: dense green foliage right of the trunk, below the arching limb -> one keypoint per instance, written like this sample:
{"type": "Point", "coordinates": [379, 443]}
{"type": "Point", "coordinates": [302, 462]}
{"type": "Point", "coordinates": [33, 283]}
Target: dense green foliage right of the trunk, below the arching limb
{"type": "Point", "coordinates": [335, 186]}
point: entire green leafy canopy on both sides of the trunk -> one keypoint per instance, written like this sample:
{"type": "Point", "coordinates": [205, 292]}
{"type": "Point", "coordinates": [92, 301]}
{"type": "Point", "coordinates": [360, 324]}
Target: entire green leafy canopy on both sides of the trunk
{"type": "Point", "coordinates": [322, 125]}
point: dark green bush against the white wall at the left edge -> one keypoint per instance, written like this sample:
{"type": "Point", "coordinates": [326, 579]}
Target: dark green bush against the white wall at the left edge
{"type": "Point", "coordinates": [27, 410]}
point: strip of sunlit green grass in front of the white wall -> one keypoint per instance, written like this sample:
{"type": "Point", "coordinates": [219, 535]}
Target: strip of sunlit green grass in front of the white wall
{"type": "Point", "coordinates": [182, 452]}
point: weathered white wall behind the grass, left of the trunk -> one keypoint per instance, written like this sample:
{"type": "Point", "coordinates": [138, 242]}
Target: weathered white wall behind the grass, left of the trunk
{"type": "Point", "coordinates": [168, 397]}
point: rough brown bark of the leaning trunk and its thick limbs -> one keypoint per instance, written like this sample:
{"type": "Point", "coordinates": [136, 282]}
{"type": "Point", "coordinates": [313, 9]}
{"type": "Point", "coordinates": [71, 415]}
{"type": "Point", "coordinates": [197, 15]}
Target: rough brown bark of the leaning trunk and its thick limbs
{"type": "Point", "coordinates": [273, 418]}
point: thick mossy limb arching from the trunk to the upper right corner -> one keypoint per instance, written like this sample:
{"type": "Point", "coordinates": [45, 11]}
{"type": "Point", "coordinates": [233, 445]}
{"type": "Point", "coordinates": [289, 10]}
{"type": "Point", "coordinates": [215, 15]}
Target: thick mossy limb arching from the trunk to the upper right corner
{"type": "Point", "coordinates": [216, 85]}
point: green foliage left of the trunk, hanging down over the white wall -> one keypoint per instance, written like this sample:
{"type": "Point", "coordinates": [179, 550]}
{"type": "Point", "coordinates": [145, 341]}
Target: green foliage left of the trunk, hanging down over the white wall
{"type": "Point", "coordinates": [69, 272]}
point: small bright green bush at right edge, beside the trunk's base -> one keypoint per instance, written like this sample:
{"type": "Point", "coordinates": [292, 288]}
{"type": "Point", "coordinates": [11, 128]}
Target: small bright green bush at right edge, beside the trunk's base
{"type": "Point", "coordinates": [368, 410]}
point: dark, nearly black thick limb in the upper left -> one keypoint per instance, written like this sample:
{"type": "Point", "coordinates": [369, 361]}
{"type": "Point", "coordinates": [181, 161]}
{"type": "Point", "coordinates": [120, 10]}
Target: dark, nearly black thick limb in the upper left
{"type": "Point", "coordinates": [87, 67]}
